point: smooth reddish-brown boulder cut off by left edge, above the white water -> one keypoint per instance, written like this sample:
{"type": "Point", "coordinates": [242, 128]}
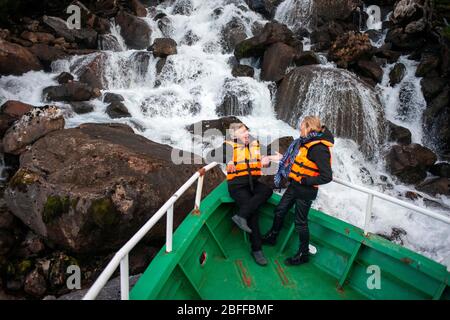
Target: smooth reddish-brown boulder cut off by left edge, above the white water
{"type": "Point", "coordinates": [16, 60]}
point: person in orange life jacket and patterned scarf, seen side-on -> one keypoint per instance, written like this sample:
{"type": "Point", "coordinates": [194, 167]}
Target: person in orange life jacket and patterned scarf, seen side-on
{"type": "Point", "coordinates": [311, 168]}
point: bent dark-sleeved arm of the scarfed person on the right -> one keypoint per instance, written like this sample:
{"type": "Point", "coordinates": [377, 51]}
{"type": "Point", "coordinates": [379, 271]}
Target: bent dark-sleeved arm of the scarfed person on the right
{"type": "Point", "coordinates": [320, 154]}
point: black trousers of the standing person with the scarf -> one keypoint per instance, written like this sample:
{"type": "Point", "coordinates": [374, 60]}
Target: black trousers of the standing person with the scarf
{"type": "Point", "coordinates": [295, 195]}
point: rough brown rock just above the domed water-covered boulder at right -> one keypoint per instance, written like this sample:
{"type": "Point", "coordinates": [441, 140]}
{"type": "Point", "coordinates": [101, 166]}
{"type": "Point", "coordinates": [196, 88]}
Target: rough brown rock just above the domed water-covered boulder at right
{"type": "Point", "coordinates": [349, 48]}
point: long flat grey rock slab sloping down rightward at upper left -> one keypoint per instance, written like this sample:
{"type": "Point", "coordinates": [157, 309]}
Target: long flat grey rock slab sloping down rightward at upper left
{"type": "Point", "coordinates": [84, 36]}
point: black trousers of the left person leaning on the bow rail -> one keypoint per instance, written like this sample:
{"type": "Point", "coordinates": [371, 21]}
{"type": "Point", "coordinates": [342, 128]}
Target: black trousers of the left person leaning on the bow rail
{"type": "Point", "coordinates": [249, 202]}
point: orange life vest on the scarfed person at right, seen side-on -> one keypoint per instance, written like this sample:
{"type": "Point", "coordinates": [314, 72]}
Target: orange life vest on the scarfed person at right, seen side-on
{"type": "Point", "coordinates": [302, 166]}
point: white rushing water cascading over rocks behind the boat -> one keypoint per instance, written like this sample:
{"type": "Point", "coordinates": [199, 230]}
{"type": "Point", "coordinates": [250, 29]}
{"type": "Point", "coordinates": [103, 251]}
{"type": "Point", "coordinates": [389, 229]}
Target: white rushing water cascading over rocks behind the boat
{"type": "Point", "coordinates": [194, 82]}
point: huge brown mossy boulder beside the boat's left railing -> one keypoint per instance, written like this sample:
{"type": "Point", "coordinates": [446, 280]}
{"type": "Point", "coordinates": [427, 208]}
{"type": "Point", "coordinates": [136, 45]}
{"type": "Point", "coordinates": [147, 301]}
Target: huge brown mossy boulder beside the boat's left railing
{"type": "Point", "coordinates": [90, 188]}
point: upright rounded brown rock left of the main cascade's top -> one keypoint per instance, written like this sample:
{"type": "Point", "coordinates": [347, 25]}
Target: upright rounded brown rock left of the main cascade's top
{"type": "Point", "coordinates": [135, 31]}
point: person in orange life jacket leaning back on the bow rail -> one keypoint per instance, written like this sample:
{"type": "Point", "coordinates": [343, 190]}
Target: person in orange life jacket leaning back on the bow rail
{"type": "Point", "coordinates": [242, 154]}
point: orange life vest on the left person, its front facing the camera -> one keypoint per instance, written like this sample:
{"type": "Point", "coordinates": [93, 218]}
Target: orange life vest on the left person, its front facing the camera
{"type": "Point", "coordinates": [246, 159]}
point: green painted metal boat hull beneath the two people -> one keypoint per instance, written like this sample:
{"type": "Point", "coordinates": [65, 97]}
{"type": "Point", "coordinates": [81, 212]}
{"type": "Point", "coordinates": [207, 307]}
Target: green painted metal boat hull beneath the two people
{"type": "Point", "coordinates": [339, 269]}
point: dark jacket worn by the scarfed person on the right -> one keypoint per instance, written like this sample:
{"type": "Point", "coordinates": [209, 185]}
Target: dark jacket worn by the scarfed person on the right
{"type": "Point", "coordinates": [320, 155]}
